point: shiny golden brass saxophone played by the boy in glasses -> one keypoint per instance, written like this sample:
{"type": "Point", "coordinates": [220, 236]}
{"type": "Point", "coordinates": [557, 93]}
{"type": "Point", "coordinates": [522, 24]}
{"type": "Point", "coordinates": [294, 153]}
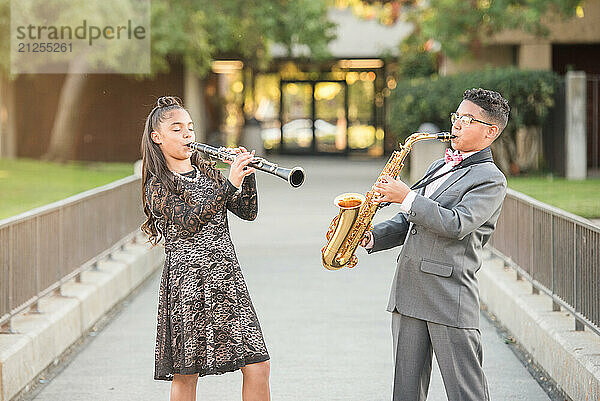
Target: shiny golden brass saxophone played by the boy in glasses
{"type": "Point", "coordinates": [356, 210]}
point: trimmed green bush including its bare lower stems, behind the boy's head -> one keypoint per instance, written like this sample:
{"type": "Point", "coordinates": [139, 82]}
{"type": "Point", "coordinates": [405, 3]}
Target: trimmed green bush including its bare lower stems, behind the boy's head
{"type": "Point", "coordinates": [432, 99]}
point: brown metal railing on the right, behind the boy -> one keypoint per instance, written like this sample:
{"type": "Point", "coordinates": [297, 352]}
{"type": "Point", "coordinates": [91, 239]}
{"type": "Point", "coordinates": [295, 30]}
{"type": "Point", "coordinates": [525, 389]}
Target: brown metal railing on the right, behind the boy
{"type": "Point", "coordinates": [556, 251]}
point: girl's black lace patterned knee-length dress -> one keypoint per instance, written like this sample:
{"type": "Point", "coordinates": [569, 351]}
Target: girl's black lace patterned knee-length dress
{"type": "Point", "coordinates": [206, 321]}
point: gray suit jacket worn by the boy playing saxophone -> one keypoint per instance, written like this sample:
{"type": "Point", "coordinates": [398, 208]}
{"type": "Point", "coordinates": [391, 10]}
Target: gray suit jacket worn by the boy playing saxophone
{"type": "Point", "coordinates": [435, 275]}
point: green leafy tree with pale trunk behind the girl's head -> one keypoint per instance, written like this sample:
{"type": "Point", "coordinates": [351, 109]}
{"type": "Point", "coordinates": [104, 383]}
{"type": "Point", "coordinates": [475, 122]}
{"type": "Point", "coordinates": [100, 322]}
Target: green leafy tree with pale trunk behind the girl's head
{"type": "Point", "coordinates": [199, 31]}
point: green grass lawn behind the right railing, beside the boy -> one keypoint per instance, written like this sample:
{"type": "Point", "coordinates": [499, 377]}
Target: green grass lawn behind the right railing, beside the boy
{"type": "Point", "coordinates": [578, 197]}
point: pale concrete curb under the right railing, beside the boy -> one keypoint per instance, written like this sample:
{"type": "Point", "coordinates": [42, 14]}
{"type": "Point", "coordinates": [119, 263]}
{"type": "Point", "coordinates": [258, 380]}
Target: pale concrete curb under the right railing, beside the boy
{"type": "Point", "coordinates": [571, 358]}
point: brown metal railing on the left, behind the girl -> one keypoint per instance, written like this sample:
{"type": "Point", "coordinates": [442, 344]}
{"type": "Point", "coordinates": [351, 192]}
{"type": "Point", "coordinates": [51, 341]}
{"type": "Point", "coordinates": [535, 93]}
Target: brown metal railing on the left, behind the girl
{"type": "Point", "coordinates": [45, 247]}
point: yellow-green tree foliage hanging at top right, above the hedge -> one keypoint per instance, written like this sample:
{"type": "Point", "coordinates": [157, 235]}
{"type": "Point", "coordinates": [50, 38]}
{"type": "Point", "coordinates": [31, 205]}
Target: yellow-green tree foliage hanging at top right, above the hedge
{"type": "Point", "coordinates": [458, 28]}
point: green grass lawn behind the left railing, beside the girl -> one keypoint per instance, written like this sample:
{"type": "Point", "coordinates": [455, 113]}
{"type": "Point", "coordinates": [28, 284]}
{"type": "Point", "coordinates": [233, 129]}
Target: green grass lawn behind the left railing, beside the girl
{"type": "Point", "coordinates": [26, 184]}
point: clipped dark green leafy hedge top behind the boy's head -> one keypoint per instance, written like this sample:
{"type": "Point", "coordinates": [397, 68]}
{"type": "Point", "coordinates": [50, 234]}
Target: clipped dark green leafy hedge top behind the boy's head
{"type": "Point", "coordinates": [413, 102]}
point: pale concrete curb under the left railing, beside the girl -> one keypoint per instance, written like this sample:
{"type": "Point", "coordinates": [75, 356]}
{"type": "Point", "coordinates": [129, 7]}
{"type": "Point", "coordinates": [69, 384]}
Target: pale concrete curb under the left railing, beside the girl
{"type": "Point", "coordinates": [41, 338]}
